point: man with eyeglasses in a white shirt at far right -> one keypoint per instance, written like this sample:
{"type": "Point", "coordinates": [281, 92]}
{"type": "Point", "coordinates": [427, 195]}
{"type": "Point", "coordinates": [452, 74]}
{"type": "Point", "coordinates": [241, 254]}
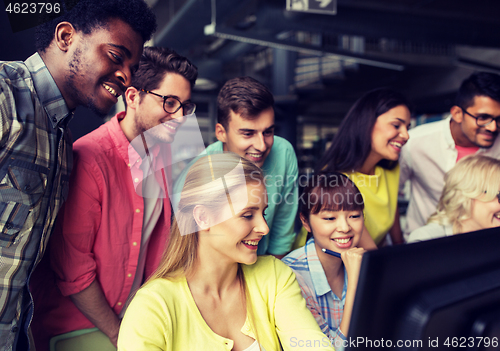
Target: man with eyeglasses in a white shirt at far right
{"type": "Point", "coordinates": [434, 148]}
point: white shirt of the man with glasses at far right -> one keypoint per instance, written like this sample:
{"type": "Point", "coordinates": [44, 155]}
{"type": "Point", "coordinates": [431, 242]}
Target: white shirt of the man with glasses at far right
{"type": "Point", "coordinates": [427, 156]}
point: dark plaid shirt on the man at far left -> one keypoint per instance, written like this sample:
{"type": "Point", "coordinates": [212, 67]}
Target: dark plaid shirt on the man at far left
{"type": "Point", "coordinates": [35, 162]}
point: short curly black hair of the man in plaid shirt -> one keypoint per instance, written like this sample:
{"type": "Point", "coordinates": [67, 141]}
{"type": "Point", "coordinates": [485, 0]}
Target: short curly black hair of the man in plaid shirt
{"type": "Point", "coordinates": [88, 15]}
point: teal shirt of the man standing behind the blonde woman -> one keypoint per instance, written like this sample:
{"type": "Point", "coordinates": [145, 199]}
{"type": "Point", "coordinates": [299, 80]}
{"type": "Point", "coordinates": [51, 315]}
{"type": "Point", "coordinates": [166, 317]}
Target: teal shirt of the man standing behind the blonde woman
{"type": "Point", "coordinates": [280, 172]}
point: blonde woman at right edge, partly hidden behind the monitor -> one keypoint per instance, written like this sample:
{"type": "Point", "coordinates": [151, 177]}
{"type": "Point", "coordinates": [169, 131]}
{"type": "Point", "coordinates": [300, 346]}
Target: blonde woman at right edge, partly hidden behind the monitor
{"type": "Point", "coordinates": [470, 200]}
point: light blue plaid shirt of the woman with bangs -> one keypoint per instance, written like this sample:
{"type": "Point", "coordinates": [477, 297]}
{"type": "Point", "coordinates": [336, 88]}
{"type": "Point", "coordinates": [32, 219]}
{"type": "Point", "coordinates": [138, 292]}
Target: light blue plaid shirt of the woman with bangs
{"type": "Point", "coordinates": [325, 306]}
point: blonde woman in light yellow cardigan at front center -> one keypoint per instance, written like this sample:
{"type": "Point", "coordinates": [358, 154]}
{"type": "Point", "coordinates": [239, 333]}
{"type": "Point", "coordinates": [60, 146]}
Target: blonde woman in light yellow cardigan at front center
{"type": "Point", "coordinates": [211, 291]}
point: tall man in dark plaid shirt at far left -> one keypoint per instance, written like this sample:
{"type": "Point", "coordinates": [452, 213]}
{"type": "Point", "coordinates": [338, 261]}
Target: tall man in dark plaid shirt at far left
{"type": "Point", "coordinates": [85, 57]}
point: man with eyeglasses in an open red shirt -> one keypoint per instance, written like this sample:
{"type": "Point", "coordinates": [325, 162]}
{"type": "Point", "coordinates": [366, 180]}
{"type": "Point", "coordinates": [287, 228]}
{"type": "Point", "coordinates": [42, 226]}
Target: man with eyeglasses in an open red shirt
{"type": "Point", "coordinates": [114, 226]}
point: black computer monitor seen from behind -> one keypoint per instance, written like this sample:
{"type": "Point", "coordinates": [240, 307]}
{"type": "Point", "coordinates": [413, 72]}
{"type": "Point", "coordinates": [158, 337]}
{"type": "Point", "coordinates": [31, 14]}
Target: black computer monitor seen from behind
{"type": "Point", "coordinates": [432, 295]}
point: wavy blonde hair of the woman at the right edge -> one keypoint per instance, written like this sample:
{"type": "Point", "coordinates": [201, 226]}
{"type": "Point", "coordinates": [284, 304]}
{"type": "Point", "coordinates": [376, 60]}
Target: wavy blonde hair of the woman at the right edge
{"type": "Point", "coordinates": [474, 177]}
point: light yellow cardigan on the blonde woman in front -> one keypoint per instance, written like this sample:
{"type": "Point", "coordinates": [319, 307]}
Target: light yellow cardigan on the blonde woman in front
{"type": "Point", "coordinates": [164, 316]}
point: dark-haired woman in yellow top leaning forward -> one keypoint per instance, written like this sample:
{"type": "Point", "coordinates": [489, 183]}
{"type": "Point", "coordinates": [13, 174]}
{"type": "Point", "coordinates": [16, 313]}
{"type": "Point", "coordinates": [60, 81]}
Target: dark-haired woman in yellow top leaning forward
{"type": "Point", "coordinates": [366, 148]}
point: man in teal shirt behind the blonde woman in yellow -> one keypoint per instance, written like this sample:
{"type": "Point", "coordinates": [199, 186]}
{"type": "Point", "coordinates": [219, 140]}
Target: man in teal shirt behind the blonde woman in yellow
{"type": "Point", "coordinates": [245, 126]}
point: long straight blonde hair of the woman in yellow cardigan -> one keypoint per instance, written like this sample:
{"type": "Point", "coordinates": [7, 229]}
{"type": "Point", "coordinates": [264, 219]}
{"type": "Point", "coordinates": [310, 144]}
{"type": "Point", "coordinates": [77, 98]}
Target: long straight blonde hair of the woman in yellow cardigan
{"type": "Point", "coordinates": [201, 189]}
